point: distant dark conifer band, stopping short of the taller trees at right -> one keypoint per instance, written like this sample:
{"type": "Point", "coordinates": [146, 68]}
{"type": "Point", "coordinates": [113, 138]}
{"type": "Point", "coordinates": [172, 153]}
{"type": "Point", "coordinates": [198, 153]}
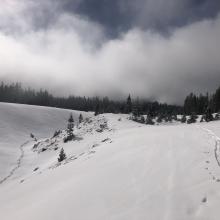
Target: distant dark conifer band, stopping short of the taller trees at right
{"type": "Point", "coordinates": [14, 93]}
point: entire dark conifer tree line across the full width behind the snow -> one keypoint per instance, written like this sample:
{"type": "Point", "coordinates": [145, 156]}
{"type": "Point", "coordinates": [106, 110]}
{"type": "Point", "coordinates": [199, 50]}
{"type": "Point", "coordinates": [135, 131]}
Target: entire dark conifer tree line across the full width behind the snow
{"type": "Point", "coordinates": [193, 104]}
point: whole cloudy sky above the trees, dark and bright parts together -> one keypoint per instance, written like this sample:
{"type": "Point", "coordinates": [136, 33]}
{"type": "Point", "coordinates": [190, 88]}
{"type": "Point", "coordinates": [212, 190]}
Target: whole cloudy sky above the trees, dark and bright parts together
{"type": "Point", "coordinates": [150, 48]}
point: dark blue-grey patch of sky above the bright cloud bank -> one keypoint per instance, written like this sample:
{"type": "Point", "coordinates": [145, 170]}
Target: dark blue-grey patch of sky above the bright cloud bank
{"type": "Point", "coordinates": [121, 15]}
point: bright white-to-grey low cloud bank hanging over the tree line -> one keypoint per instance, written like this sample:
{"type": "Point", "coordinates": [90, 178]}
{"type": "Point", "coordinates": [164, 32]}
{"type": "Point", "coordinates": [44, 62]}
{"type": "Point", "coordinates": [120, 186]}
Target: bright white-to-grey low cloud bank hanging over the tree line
{"type": "Point", "coordinates": [72, 55]}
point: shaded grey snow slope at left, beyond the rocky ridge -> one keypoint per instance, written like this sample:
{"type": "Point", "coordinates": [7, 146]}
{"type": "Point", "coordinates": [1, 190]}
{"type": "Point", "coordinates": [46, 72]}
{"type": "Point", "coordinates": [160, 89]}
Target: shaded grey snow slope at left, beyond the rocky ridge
{"type": "Point", "coordinates": [16, 124]}
